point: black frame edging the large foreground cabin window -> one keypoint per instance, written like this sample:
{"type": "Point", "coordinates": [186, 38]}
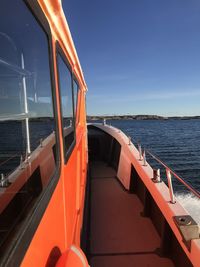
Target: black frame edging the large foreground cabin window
{"type": "Point", "coordinates": [17, 248]}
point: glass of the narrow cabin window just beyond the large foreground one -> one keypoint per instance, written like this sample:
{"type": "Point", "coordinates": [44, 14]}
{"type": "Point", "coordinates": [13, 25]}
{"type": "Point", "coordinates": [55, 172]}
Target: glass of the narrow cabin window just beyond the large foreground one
{"type": "Point", "coordinates": [67, 105]}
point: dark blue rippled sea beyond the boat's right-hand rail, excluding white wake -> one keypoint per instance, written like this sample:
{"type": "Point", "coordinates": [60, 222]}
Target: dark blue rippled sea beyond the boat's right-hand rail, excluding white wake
{"type": "Point", "coordinates": [176, 142]}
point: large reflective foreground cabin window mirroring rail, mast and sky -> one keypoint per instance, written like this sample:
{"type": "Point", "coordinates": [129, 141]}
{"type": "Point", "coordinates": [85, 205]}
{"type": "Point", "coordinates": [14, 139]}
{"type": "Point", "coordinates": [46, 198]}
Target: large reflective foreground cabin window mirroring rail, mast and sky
{"type": "Point", "coordinates": [28, 147]}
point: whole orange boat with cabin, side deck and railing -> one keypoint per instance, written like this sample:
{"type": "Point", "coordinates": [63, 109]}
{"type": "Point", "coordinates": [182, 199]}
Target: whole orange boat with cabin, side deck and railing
{"type": "Point", "coordinates": [58, 208]}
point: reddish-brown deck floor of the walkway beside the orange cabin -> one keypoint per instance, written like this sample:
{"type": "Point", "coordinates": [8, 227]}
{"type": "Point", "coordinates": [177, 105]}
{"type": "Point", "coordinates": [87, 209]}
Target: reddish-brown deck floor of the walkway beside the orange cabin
{"type": "Point", "coordinates": [119, 235]}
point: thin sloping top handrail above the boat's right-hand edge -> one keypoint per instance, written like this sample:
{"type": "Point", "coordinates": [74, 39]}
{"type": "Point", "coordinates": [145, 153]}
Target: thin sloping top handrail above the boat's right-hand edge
{"type": "Point", "coordinates": [194, 191]}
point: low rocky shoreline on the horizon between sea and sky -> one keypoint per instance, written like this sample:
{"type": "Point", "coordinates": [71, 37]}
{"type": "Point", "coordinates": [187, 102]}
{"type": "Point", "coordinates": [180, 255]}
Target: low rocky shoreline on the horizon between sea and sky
{"type": "Point", "coordinates": [140, 117]}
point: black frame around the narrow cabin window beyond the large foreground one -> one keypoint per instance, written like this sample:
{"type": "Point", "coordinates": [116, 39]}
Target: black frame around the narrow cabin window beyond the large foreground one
{"type": "Point", "coordinates": [59, 52]}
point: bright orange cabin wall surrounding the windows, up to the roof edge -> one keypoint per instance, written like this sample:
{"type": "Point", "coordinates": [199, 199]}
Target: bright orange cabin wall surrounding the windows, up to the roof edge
{"type": "Point", "coordinates": [61, 223]}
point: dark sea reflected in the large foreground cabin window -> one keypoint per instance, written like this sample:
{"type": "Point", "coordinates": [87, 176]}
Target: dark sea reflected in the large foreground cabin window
{"type": "Point", "coordinates": [13, 141]}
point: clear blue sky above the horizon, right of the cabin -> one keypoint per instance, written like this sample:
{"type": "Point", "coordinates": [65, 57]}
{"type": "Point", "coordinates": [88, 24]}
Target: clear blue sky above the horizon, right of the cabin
{"type": "Point", "coordinates": [138, 56]}
